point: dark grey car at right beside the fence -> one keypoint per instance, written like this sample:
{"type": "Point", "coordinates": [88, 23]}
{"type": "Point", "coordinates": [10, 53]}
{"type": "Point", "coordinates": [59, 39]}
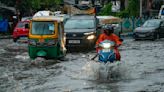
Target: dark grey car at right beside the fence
{"type": "Point", "coordinates": [151, 29]}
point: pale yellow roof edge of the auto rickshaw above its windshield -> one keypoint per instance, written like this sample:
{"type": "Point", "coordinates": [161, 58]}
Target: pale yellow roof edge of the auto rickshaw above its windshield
{"type": "Point", "coordinates": [48, 18]}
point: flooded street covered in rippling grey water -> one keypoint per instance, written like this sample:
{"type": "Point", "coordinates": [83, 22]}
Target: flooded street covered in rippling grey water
{"type": "Point", "coordinates": [140, 70]}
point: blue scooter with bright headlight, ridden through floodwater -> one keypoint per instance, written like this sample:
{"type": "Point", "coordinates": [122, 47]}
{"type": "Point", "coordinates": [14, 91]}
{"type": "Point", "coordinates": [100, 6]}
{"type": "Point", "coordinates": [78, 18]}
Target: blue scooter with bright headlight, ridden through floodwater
{"type": "Point", "coordinates": [106, 52]}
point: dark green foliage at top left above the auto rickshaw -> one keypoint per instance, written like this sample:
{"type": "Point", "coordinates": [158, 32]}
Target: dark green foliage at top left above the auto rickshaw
{"type": "Point", "coordinates": [26, 6]}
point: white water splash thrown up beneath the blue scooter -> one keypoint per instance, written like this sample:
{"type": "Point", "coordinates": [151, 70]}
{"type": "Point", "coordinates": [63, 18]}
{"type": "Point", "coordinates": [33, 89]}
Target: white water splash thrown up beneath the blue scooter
{"type": "Point", "coordinates": [99, 71]}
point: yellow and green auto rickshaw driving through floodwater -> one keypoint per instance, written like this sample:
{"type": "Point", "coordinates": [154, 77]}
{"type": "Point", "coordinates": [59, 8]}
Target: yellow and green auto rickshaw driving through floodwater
{"type": "Point", "coordinates": [46, 37]}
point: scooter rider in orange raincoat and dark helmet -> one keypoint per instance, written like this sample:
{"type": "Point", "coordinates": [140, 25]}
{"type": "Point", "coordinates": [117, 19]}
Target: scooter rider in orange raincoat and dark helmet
{"type": "Point", "coordinates": [109, 35]}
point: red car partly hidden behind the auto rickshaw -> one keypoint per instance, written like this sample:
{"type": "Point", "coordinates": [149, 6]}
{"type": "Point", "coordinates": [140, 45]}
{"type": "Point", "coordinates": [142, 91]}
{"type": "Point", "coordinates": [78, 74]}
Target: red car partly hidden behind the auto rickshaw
{"type": "Point", "coordinates": [20, 31]}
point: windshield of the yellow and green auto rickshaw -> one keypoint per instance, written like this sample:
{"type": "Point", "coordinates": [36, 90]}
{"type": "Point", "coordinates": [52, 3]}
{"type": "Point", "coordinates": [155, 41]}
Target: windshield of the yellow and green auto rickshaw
{"type": "Point", "coordinates": [43, 28]}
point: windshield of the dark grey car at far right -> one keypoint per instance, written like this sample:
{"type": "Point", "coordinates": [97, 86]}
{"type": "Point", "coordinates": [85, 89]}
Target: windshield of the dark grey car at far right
{"type": "Point", "coordinates": [151, 23]}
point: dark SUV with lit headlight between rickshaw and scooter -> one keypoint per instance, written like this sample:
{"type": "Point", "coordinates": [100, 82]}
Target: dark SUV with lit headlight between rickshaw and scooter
{"type": "Point", "coordinates": [81, 31]}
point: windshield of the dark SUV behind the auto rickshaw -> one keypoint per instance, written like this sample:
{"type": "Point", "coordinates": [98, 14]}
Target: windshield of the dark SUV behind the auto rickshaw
{"type": "Point", "coordinates": [80, 24]}
